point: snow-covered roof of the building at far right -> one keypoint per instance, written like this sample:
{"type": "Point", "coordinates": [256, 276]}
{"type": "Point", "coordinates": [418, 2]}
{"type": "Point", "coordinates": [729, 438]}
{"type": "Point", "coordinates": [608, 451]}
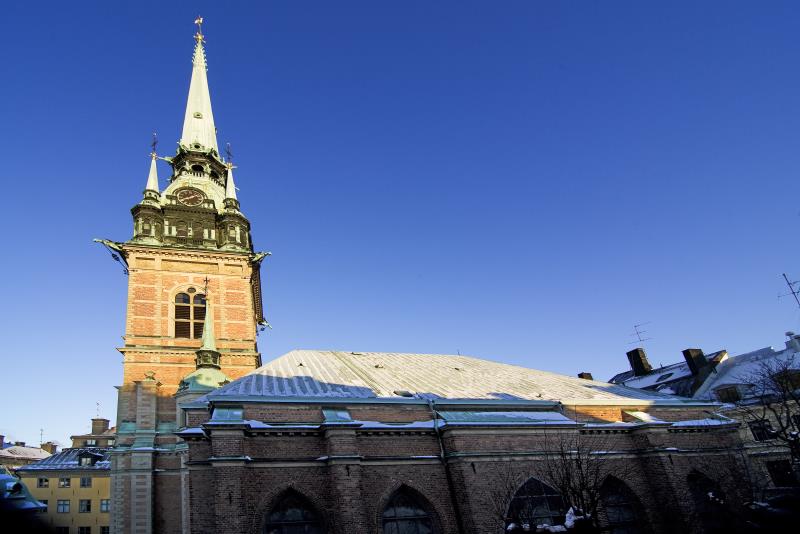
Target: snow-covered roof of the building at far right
{"type": "Point", "coordinates": [739, 370]}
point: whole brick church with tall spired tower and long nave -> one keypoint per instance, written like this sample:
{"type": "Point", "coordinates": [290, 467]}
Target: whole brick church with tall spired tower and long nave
{"type": "Point", "coordinates": [210, 440]}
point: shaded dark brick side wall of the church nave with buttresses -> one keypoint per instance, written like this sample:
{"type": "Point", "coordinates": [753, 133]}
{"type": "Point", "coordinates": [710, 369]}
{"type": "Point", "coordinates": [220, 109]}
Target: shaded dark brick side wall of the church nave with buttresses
{"type": "Point", "coordinates": [237, 472]}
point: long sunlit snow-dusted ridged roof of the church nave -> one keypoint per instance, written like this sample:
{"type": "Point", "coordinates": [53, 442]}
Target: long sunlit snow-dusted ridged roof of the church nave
{"type": "Point", "coordinates": [335, 374]}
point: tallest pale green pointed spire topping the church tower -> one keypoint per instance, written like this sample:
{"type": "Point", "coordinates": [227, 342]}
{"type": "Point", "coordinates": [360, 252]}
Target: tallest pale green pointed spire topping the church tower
{"type": "Point", "coordinates": [198, 123]}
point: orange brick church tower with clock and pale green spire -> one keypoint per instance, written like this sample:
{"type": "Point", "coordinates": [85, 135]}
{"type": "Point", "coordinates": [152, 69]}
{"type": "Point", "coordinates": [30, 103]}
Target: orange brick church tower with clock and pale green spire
{"type": "Point", "coordinates": [191, 245]}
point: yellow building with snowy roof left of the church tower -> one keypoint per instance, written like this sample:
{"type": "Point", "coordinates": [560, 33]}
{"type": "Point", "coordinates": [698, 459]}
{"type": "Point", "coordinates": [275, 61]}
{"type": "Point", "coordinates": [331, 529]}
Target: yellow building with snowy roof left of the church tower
{"type": "Point", "coordinates": [75, 486]}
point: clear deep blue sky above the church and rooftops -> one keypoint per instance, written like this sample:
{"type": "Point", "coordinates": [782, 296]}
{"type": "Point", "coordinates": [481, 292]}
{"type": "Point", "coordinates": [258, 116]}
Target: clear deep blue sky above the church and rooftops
{"type": "Point", "coordinates": [520, 181]}
